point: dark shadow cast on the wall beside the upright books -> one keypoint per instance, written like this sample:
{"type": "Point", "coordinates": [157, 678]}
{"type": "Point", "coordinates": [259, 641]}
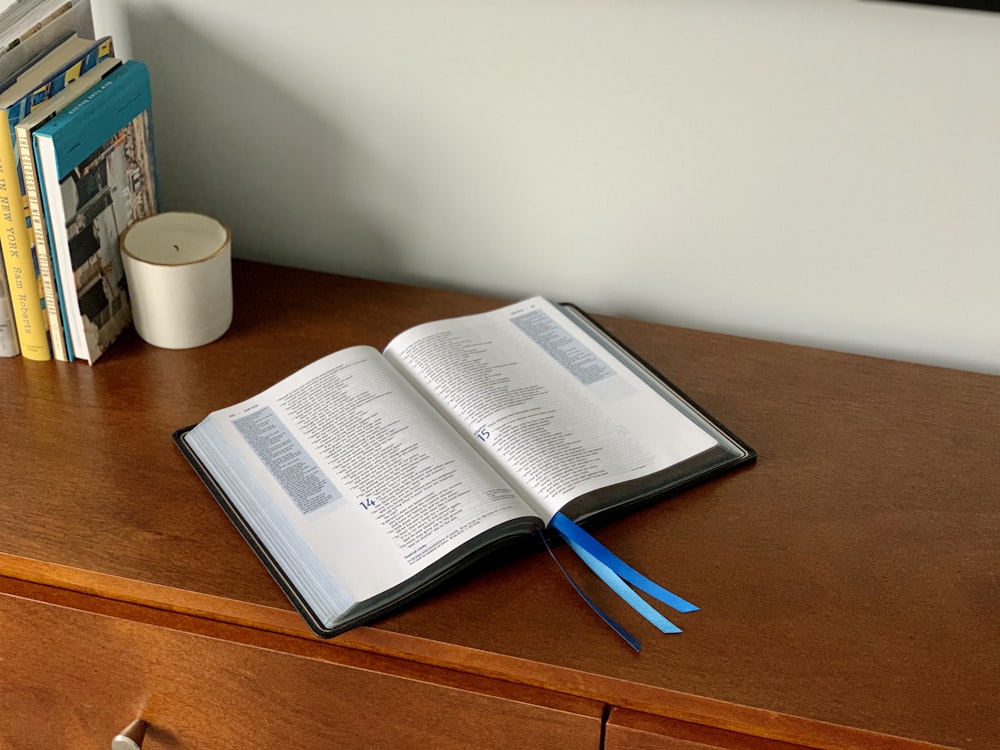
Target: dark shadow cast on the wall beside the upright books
{"type": "Point", "coordinates": [233, 144]}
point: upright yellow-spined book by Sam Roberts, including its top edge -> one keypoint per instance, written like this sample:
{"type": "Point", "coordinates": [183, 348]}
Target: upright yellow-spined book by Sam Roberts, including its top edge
{"type": "Point", "coordinates": [42, 80]}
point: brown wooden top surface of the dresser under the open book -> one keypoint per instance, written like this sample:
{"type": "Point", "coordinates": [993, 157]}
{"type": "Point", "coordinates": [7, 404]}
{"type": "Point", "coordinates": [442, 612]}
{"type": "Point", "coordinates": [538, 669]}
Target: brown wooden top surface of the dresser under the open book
{"type": "Point", "coordinates": [848, 582]}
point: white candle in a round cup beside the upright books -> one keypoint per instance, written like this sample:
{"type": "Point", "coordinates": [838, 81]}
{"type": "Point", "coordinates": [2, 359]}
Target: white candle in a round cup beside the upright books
{"type": "Point", "coordinates": [179, 271]}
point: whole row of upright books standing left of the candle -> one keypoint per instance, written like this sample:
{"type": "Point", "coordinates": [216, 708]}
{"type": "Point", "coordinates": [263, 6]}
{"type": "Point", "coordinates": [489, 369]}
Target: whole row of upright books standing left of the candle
{"type": "Point", "coordinates": [77, 167]}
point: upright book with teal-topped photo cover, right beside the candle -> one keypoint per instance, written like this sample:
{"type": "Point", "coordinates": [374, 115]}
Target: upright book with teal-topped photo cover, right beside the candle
{"type": "Point", "coordinates": [98, 175]}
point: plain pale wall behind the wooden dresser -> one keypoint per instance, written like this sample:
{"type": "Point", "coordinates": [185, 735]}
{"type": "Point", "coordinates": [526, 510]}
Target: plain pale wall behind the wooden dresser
{"type": "Point", "coordinates": [815, 171]}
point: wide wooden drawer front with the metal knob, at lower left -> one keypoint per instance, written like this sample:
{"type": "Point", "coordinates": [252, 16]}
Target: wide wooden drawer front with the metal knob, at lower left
{"type": "Point", "coordinates": [72, 679]}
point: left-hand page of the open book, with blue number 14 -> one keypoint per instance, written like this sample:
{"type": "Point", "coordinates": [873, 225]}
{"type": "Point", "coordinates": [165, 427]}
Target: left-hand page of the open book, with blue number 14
{"type": "Point", "coordinates": [337, 456]}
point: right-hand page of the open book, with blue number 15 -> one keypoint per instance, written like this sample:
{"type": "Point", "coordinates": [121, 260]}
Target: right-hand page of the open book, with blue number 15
{"type": "Point", "coordinates": [545, 401]}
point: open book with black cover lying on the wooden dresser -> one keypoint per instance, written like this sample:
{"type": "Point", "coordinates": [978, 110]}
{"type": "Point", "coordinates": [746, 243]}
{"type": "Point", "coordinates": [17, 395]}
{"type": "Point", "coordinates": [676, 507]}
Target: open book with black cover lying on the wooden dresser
{"type": "Point", "coordinates": [366, 478]}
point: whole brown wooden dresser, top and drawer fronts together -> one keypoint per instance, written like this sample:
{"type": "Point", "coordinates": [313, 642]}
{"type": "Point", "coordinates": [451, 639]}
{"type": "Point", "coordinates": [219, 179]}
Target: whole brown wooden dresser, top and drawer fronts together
{"type": "Point", "coordinates": [848, 582]}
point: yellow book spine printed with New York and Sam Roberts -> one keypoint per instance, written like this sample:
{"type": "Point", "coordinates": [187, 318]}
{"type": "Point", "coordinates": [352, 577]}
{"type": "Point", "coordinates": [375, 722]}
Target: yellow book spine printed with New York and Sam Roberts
{"type": "Point", "coordinates": [26, 297]}
